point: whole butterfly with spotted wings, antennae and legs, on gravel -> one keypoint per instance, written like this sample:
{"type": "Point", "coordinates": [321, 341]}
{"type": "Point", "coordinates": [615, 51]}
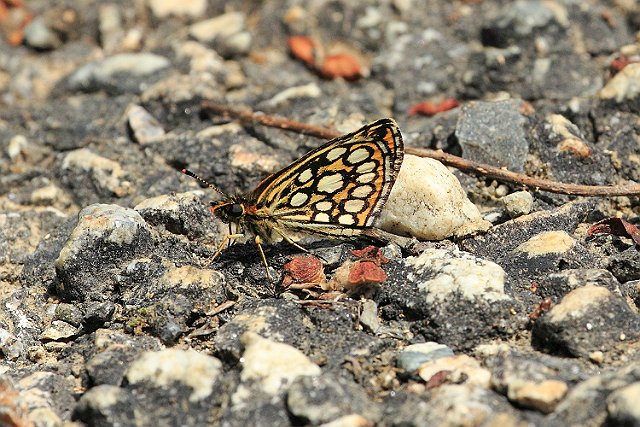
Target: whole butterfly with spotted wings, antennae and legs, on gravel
{"type": "Point", "coordinates": [336, 190]}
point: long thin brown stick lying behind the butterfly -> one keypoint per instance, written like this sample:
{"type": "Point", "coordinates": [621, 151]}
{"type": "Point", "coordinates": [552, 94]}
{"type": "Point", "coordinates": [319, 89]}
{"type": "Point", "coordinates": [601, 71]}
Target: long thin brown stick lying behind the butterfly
{"type": "Point", "coordinates": [464, 165]}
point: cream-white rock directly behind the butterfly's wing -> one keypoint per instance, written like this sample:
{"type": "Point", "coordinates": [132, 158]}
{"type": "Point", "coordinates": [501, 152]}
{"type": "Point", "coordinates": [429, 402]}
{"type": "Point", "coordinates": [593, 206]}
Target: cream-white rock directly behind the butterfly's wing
{"type": "Point", "coordinates": [428, 202]}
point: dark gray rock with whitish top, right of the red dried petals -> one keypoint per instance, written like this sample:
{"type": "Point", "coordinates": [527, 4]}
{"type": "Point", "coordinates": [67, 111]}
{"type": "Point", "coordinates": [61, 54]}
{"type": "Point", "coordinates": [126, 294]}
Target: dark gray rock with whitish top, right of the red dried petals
{"type": "Point", "coordinates": [444, 294]}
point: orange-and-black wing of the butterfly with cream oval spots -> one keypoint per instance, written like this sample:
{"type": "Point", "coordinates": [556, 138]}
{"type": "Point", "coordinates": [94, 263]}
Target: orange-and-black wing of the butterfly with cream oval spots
{"type": "Point", "coordinates": [338, 188]}
